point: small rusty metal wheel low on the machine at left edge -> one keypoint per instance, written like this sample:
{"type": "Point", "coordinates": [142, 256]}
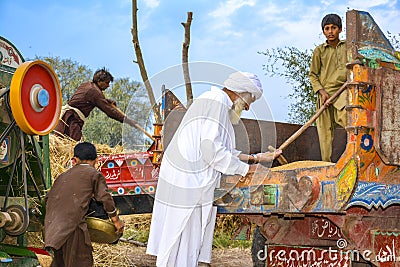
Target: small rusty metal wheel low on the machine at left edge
{"type": "Point", "coordinates": [20, 220]}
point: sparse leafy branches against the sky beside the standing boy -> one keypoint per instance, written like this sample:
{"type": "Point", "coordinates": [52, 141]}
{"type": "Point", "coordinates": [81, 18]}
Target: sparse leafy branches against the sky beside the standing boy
{"type": "Point", "coordinates": [293, 65]}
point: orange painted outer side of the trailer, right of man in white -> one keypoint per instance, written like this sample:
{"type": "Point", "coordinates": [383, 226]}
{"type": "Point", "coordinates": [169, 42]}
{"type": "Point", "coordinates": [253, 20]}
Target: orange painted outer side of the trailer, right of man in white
{"type": "Point", "coordinates": [345, 212]}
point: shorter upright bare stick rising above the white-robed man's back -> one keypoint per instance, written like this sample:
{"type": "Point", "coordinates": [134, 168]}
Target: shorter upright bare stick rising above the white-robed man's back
{"type": "Point", "coordinates": [185, 66]}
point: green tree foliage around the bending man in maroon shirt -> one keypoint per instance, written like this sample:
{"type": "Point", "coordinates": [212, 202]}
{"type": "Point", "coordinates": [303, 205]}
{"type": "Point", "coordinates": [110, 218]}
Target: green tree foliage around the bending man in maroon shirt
{"type": "Point", "coordinates": [98, 128]}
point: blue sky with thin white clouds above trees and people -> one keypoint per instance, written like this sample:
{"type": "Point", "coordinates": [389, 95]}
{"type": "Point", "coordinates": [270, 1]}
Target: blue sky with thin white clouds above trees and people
{"type": "Point", "coordinates": [229, 32]}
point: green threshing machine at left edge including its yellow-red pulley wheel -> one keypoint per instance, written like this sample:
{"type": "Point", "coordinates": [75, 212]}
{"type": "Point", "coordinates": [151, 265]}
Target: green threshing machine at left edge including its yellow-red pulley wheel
{"type": "Point", "coordinates": [30, 105]}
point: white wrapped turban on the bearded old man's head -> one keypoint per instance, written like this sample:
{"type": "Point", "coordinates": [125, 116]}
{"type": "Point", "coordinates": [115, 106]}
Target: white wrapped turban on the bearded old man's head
{"type": "Point", "coordinates": [241, 82]}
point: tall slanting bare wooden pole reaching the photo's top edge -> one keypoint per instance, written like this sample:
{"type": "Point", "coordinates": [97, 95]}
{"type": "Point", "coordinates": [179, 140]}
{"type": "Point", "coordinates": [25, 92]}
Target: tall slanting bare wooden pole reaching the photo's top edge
{"type": "Point", "coordinates": [140, 62]}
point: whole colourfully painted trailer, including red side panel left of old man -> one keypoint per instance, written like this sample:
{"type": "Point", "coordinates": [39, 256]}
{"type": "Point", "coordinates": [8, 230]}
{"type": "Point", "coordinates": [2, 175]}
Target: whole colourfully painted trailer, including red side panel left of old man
{"type": "Point", "coordinates": [308, 212]}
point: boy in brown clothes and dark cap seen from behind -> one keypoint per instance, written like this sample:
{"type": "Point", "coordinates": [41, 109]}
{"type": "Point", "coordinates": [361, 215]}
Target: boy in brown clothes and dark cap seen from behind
{"type": "Point", "coordinates": [67, 203]}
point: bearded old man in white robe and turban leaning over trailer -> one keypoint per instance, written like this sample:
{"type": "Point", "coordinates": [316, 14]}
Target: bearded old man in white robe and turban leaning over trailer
{"type": "Point", "coordinates": [202, 149]}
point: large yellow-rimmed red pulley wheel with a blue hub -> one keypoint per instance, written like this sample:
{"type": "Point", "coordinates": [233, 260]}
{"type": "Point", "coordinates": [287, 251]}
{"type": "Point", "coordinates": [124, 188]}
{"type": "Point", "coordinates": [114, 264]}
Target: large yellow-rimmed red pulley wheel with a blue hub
{"type": "Point", "coordinates": [35, 97]}
